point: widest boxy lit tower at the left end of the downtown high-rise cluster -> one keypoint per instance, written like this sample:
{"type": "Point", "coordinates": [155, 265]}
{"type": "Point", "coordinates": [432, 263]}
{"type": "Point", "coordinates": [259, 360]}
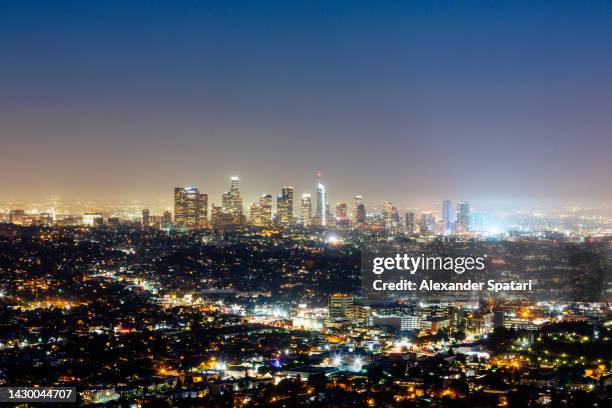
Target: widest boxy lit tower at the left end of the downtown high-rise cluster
{"type": "Point", "coordinates": [190, 208]}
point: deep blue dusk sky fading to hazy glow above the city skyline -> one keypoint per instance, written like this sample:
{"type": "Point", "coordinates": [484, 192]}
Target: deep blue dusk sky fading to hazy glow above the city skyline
{"type": "Point", "coordinates": [410, 101]}
